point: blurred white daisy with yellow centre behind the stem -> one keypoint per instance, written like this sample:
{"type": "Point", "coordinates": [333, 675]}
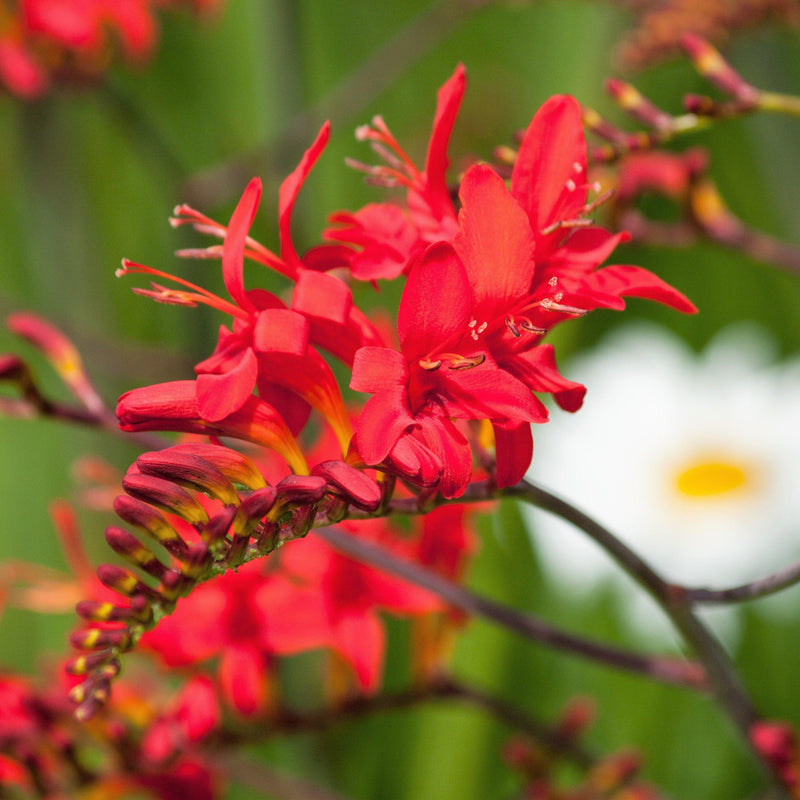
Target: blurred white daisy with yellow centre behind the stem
{"type": "Point", "coordinates": [694, 461]}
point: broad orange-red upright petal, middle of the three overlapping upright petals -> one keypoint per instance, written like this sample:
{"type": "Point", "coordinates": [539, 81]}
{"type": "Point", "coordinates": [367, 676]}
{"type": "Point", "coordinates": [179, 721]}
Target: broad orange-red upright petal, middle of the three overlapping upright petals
{"type": "Point", "coordinates": [495, 243]}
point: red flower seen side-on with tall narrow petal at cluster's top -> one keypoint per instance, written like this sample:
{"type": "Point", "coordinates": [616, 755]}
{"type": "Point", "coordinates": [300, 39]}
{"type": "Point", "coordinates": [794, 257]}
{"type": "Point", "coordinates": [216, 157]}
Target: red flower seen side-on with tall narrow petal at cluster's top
{"type": "Point", "coordinates": [389, 236]}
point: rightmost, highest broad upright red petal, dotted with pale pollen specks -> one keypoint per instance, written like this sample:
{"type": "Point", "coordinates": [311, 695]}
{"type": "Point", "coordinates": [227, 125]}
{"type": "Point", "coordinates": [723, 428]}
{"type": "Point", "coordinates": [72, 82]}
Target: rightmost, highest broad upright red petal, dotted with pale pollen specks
{"type": "Point", "coordinates": [546, 181]}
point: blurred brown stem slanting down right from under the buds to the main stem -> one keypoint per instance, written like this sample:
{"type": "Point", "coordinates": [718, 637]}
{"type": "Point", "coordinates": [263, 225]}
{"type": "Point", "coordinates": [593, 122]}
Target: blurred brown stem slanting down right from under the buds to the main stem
{"type": "Point", "coordinates": [667, 670]}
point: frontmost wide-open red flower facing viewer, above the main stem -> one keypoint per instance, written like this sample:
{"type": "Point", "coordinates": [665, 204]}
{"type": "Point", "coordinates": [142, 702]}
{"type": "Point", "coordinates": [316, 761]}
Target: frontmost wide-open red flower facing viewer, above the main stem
{"type": "Point", "coordinates": [440, 374]}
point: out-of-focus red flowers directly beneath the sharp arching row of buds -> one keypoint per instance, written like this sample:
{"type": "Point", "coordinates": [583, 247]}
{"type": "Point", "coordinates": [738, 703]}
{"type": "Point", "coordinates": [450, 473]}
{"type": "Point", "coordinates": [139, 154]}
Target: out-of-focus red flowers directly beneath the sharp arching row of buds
{"type": "Point", "coordinates": [312, 598]}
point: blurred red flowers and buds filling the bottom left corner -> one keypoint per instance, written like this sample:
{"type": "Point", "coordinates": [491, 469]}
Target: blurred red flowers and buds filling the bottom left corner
{"type": "Point", "coordinates": [44, 752]}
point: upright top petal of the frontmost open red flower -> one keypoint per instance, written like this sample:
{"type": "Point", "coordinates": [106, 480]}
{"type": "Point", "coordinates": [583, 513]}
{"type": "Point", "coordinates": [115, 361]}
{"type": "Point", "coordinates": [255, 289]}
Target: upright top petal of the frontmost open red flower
{"type": "Point", "coordinates": [436, 303]}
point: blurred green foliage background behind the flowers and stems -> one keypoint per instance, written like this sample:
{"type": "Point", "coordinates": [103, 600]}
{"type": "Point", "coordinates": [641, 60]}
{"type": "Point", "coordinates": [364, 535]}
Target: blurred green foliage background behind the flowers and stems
{"type": "Point", "coordinates": [89, 176]}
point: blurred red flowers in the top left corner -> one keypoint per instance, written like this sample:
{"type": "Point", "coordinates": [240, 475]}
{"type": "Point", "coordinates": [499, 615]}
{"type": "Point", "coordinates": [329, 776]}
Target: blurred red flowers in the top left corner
{"type": "Point", "coordinates": [47, 41]}
